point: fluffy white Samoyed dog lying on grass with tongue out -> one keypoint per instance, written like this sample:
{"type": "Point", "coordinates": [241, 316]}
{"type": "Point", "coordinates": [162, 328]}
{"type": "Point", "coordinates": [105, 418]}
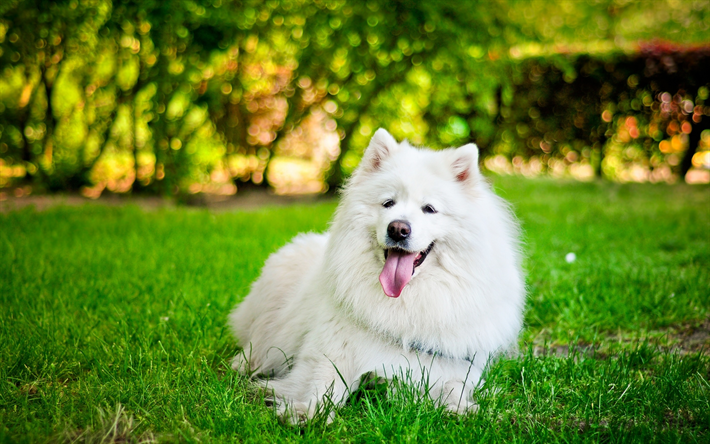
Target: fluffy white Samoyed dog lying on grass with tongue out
{"type": "Point", "coordinates": [418, 275]}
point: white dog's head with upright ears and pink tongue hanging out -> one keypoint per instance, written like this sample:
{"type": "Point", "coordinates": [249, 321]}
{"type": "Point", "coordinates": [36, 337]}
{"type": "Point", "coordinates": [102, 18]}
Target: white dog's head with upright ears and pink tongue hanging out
{"type": "Point", "coordinates": [414, 202]}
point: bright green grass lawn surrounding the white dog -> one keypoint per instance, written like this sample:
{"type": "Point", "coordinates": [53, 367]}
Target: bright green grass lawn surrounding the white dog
{"type": "Point", "coordinates": [112, 325]}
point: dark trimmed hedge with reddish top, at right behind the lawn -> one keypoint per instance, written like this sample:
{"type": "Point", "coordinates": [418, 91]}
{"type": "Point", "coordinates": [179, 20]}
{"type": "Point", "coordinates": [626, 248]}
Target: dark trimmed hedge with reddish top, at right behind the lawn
{"type": "Point", "coordinates": [575, 108]}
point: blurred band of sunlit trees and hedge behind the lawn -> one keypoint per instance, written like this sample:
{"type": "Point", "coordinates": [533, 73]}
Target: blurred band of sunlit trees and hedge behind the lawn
{"type": "Point", "coordinates": [180, 97]}
